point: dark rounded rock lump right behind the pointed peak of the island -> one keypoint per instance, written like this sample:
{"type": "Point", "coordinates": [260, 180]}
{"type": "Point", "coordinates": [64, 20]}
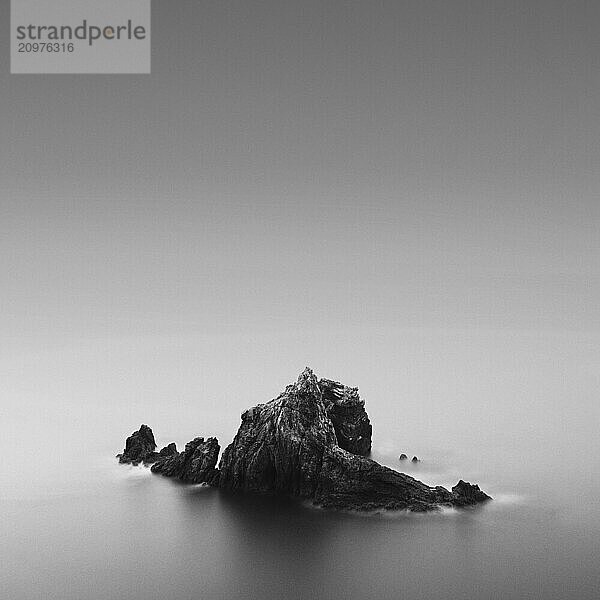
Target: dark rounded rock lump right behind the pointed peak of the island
{"type": "Point", "coordinates": [348, 415]}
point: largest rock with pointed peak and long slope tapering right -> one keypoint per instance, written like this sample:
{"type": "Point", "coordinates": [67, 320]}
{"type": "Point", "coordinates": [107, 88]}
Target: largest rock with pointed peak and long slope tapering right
{"type": "Point", "coordinates": [290, 445]}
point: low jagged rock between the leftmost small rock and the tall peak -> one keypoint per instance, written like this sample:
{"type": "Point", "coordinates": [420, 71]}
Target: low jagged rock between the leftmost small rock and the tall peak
{"type": "Point", "coordinates": [196, 464]}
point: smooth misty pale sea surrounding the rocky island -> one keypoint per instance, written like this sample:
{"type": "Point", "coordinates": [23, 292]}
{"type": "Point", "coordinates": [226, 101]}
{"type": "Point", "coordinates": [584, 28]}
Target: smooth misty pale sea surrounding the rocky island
{"type": "Point", "coordinates": [516, 412]}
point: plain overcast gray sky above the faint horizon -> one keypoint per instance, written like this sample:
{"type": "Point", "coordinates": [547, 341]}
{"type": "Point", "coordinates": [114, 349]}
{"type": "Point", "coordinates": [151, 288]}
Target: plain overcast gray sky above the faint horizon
{"type": "Point", "coordinates": [324, 164]}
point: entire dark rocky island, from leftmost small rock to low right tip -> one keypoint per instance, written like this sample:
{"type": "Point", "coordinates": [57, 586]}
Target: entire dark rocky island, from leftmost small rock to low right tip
{"type": "Point", "coordinates": [311, 442]}
